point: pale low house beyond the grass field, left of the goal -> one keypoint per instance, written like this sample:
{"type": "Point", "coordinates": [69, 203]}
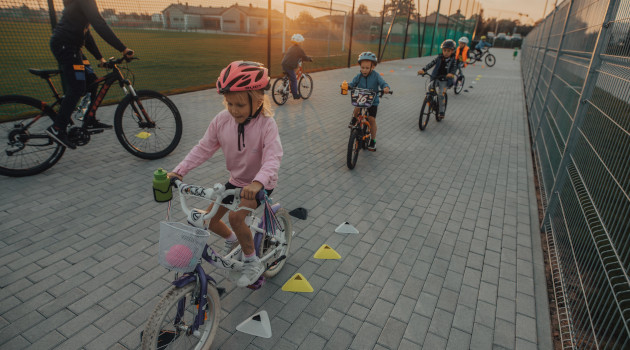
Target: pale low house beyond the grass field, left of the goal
{"type": "Point", "coordinates": [238, 19]}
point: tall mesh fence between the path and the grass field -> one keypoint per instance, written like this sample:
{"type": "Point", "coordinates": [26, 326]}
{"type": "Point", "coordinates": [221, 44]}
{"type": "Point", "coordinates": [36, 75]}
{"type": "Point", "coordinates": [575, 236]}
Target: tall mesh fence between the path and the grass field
{"type": "Point", "coordinates": [183, 45]}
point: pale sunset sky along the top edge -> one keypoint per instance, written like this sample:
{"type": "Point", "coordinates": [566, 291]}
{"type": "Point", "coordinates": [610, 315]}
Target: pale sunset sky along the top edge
{"type": "Point", "coordinates": [492, 8]}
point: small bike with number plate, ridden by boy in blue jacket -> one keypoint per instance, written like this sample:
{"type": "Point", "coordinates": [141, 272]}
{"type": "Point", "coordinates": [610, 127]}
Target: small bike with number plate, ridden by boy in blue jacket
{"type": "Point", "coordinates": [360, 133]}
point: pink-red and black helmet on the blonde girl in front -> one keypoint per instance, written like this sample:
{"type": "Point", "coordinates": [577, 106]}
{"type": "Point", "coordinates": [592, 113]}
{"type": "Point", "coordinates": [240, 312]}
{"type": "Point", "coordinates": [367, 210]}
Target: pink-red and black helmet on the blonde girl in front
{"type": "Point", "coordinates": [243, 76]}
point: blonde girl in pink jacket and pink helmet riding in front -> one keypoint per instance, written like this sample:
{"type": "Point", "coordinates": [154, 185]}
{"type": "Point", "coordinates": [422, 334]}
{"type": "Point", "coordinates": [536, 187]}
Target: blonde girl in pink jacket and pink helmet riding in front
{"type": "Point", "coordinates": [248, 136]}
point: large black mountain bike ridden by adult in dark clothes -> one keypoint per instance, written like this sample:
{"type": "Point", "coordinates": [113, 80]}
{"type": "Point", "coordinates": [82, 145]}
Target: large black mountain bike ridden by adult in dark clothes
{"type": "Point", "coordinates": [147, 123]}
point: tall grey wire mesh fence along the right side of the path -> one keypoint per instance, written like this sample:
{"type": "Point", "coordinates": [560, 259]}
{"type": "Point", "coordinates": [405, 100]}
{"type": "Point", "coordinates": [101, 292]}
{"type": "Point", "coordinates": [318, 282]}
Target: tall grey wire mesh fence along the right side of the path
{"type": "Point", "coordinates": [576, 76]}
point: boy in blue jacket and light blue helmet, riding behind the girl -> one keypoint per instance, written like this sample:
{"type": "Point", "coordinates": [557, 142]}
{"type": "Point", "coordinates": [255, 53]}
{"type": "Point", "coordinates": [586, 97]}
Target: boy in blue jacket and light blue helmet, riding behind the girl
{"type": "Point", "coordinates": [369, 79]}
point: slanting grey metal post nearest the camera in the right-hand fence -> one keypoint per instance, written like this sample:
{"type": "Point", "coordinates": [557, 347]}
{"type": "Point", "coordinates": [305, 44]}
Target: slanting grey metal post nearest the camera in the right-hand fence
{"type": "Point", "coordinates": [587, 90]}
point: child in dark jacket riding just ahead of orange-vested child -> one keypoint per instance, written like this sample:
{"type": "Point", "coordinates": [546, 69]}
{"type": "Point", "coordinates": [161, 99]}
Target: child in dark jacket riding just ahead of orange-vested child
{"type": "Point", "coordinates": [444, 71]}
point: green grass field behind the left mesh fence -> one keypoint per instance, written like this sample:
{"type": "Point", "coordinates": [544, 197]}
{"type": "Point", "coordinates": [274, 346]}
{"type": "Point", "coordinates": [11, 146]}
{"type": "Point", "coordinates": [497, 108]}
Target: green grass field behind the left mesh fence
{"type": "Point", "coordinates": [170, 61]}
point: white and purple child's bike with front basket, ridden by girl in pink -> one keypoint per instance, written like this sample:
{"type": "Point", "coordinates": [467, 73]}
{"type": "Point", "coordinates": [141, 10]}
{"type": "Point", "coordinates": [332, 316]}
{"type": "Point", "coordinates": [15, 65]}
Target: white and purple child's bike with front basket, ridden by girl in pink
{"type": "Point", "coordinates": [188, 315]}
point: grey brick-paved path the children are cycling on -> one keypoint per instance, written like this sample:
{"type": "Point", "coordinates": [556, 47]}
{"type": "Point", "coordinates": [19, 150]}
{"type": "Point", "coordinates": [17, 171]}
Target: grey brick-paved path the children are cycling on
{"type": "Point", "coordinates": [448, 254]}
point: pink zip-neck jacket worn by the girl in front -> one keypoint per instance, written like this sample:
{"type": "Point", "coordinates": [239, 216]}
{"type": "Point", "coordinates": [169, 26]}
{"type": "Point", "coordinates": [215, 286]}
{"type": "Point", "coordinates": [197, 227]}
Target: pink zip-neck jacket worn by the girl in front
{"type": "Point", "coordinates": [259, 160]}
